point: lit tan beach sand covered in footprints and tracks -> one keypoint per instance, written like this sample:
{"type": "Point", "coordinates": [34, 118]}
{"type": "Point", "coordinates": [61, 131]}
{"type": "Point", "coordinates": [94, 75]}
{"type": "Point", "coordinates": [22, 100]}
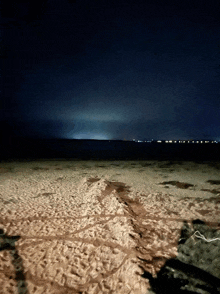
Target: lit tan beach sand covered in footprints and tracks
{"type": "Point", "coordinates": [94, 227]}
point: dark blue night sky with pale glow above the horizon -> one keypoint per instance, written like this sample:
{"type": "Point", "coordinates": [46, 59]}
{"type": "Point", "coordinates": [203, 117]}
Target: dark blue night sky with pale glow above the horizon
{"type": "Point", "coordinates": [111, 69]}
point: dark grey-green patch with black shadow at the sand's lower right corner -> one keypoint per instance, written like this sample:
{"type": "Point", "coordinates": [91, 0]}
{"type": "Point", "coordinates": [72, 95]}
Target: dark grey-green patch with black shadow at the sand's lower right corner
{"type": "Point", "coordinates": [193, 270]}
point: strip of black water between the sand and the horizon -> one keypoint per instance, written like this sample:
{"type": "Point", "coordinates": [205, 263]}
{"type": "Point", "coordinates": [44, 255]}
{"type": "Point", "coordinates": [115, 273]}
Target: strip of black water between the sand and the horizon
{"type": "Point", "coordinates": [23, 148]}
